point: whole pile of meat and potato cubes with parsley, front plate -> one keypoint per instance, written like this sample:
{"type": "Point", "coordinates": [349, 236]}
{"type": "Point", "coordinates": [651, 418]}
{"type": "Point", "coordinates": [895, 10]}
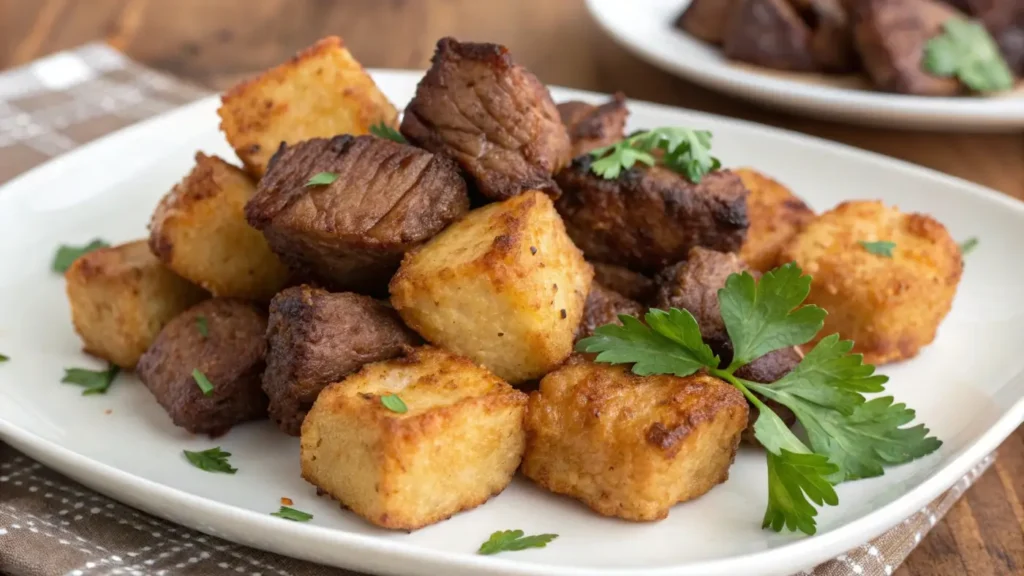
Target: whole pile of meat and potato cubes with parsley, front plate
{"type": "Point", "coordinates": [407, 299]}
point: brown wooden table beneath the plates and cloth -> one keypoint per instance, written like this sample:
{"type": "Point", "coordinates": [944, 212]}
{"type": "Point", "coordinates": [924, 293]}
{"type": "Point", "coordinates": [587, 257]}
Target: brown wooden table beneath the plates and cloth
{"type": "Point", "coordinates": [219, 43]}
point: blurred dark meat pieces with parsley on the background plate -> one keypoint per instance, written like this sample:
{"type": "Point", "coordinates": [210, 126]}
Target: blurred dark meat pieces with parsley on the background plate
{"type": "Point", "coordinates": [924, 48]}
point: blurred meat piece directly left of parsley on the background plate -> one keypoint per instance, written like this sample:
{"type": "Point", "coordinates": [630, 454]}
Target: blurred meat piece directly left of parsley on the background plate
{"type": "Point", "coordinates": [891, 37]}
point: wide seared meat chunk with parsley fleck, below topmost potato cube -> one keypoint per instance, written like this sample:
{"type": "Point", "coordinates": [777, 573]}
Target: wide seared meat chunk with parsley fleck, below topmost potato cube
{"type": "Point", "coordinates": [388, 198]}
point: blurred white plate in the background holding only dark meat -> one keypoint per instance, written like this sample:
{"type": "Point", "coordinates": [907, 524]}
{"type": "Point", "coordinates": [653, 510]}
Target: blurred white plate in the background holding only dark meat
{"type": "Point", "coordinates": [646, 28]}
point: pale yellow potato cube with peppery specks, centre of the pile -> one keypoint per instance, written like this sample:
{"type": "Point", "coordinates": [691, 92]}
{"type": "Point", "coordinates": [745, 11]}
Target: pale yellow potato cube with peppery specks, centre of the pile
{"type": "Point", "coordinates": [505, 286]}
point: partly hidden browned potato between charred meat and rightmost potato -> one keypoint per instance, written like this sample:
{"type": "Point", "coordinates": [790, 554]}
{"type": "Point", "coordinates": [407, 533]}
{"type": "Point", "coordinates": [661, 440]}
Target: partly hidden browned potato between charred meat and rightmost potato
{"type": "Point", "coordinates": [776, 216]}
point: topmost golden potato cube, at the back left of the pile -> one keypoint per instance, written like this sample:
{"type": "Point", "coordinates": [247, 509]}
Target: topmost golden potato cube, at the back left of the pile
{"type": "Point", "coordinates": [321, 93]}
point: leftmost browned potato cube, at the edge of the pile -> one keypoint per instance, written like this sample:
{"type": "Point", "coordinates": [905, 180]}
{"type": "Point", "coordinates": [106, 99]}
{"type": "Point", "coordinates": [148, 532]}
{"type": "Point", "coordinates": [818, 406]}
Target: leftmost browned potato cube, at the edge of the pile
{"type": "Point", "coordinates": [120, 300]}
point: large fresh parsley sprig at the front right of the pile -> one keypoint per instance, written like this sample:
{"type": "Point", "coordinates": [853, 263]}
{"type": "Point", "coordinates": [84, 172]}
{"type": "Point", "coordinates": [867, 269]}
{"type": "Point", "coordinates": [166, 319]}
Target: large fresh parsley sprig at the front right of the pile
{"type": "Point", "coordinates": [848, 436]}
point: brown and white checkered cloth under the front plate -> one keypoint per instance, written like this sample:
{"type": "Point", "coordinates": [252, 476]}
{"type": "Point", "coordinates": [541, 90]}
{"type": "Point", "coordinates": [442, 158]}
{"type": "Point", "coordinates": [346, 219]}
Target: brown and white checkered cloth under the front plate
{"type": "Point", "coordinates": [52, 525]}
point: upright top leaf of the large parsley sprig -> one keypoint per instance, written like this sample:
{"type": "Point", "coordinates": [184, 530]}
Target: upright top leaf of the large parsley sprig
{"type": "Point", "coordinates": [763, 317]}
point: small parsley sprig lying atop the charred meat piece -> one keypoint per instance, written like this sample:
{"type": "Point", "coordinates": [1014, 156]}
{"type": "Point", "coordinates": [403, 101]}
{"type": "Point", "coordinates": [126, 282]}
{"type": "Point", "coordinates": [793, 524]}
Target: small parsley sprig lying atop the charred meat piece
{"type": "Point", "coordinates": [684, 151]}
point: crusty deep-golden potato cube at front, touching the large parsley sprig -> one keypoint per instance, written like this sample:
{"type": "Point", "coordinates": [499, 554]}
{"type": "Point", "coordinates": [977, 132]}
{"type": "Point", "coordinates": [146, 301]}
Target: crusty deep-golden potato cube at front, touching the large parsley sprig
{"type": "Point", "coordinates": [631, 446]}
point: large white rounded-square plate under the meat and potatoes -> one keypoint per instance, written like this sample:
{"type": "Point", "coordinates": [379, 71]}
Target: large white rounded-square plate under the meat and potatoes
{"type": "Point", "coordinates": [968, 386]}
